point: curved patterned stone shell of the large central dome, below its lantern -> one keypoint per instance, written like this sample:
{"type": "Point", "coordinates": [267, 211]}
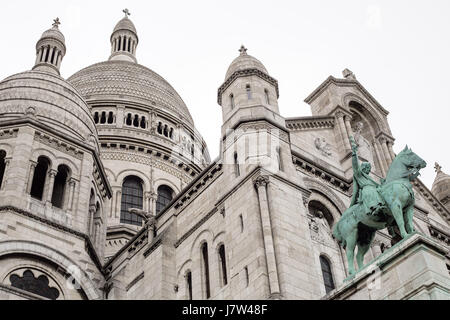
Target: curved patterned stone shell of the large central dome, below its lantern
{"type": "Point", "coordinates": [124, 80]}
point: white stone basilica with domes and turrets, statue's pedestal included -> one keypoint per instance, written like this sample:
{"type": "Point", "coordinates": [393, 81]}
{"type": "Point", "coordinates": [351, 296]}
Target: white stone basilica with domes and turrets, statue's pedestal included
{"type": "Point", "coordinates": [107, 190]}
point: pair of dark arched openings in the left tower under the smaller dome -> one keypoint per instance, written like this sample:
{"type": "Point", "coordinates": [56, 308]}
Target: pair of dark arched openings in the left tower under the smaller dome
{"type": "Point", "coordinates": [57, 183]}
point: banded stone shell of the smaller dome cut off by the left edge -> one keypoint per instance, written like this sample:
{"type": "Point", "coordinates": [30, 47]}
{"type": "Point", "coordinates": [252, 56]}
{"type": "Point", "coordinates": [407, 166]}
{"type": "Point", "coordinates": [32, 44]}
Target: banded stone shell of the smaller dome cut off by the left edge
{"type": "Point", "coordinates": [50, 100]}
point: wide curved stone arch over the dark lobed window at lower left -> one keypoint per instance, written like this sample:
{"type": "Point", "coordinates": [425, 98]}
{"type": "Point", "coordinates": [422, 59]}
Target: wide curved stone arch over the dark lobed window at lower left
{"type": "Point", "coordinates": [42, 251]}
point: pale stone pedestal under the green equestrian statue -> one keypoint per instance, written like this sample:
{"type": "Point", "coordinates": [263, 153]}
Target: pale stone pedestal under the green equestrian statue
{"type": "Point", "coordinates": [414, 268]}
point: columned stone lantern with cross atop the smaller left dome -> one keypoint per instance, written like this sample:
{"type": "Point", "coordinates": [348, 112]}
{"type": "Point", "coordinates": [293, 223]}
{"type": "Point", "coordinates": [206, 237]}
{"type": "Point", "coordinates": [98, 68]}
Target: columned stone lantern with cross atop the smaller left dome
{"type": "Point", "coordinates": [50, 49]}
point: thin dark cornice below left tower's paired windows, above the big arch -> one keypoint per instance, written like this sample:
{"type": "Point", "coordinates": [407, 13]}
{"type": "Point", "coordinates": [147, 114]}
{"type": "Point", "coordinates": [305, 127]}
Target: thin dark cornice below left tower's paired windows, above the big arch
{"type": "Point", "coordinates": [88, 244]}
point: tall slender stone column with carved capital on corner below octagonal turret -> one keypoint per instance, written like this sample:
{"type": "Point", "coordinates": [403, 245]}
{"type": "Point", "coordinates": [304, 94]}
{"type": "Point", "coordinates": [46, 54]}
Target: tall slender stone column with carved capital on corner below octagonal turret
{"type": "Point", "coordinates": [260, 183]}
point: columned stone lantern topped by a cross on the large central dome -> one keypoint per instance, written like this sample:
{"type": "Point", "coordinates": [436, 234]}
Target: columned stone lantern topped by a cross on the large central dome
{"type": "Point", "coordinates": [124, 40]}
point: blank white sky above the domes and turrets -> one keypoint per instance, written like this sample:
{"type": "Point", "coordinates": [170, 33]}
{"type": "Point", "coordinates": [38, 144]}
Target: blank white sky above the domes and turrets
{"type": "Point", "coordinates": [398, 50]}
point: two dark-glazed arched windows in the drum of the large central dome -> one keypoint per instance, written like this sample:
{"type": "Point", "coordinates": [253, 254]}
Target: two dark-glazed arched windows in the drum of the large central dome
{"type": "Point", "coordinates": [132, 197]}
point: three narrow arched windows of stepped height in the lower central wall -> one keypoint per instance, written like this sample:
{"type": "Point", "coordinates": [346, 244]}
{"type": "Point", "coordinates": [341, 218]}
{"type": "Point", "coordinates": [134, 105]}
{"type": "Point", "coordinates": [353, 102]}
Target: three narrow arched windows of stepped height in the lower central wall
{"type": "Point", "coordinates": [221, 256]}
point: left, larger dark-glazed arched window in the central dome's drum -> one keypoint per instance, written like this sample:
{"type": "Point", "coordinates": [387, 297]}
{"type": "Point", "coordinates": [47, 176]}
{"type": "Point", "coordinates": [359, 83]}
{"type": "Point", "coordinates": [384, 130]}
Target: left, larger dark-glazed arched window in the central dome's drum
{"type": "Point", "coordinates": [131, 198]}
